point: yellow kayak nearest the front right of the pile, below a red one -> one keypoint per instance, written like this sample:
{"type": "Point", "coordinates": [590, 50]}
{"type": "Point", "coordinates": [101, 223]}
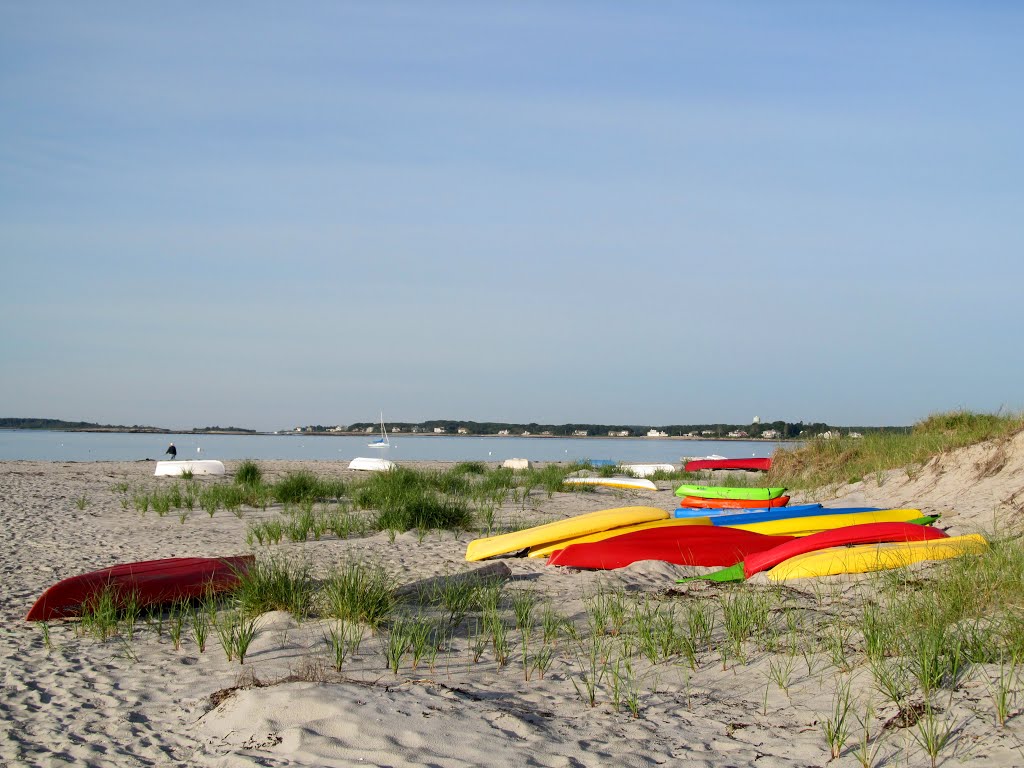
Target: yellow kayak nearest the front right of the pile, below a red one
{"type": "Point", "coordinates": [866, 558]}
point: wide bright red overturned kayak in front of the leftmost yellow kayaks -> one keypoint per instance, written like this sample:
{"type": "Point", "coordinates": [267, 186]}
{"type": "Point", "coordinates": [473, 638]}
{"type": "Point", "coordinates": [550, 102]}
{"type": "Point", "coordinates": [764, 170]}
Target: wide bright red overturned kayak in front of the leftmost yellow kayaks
{"type": "Point", "coordinates": [684, 545]}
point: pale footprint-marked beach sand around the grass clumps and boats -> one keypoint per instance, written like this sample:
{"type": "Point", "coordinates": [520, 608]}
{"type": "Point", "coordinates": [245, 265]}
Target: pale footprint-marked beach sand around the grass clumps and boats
{"type": "Point", "coordinates": [140, 702]}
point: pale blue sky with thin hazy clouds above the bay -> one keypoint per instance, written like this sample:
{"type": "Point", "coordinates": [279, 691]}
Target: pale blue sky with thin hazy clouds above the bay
{"type": "Point", "coordinates": [276, 215]}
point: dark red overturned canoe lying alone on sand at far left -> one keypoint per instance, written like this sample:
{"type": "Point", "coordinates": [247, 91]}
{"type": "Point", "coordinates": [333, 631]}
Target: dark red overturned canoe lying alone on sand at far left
{"type": "Point", "coordinates": [151, 582]}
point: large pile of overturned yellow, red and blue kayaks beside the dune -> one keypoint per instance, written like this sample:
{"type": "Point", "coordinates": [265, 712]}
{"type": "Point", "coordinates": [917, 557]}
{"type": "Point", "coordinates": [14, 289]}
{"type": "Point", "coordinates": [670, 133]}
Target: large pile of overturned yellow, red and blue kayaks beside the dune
{"type": "Point", "coordinates": [787, 542]}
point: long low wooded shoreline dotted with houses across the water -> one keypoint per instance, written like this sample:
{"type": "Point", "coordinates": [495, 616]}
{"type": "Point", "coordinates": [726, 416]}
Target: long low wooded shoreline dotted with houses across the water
{"type": "Point", "coordinates": [779, 430]}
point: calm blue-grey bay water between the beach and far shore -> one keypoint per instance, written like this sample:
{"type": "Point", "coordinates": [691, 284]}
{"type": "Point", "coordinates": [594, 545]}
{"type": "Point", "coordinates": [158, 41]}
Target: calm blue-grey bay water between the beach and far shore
{"type": "Point", "coordinates": [87, 447]}
